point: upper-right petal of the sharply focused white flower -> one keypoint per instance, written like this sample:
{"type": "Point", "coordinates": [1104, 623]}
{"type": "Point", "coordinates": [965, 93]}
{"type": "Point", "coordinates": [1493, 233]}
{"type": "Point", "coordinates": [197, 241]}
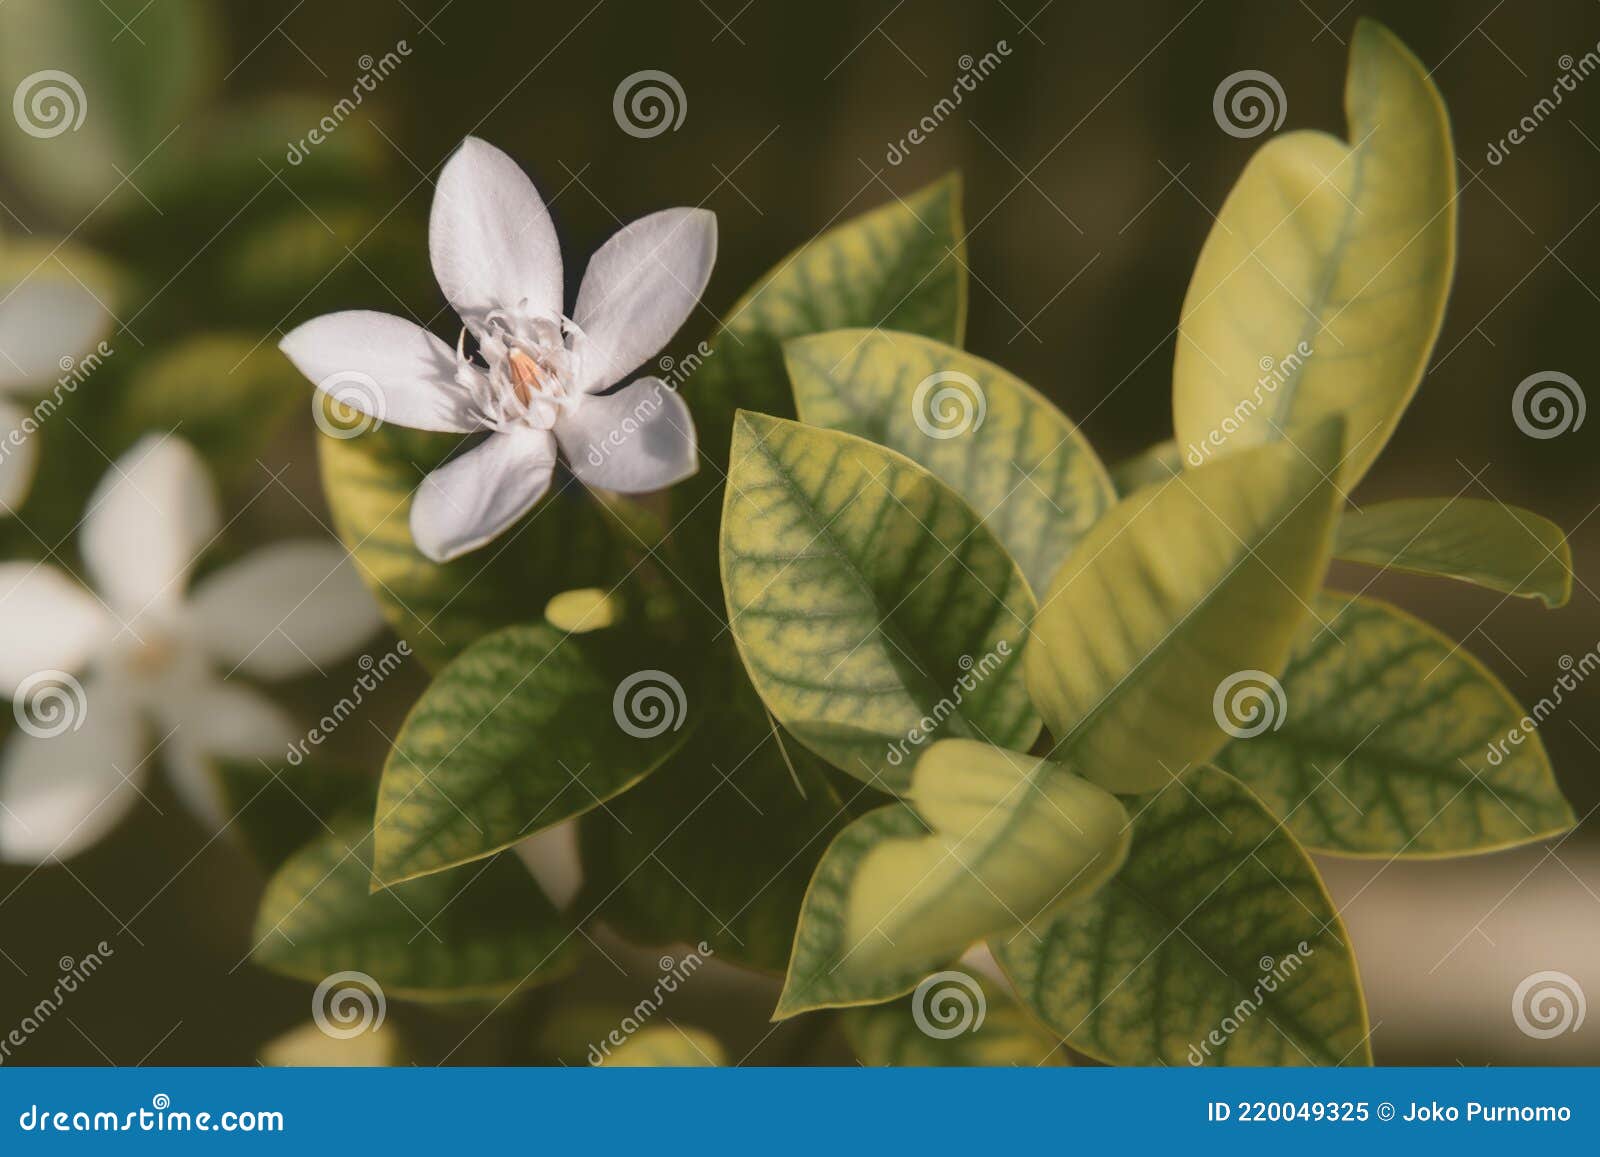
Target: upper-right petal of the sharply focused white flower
{"type": "Point", "coordinates": [641, 289]}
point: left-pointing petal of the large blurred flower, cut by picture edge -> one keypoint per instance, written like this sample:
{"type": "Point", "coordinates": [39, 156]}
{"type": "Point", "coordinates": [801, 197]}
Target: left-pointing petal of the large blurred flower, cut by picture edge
{"type": "Point", "coordinates": [47, 622]}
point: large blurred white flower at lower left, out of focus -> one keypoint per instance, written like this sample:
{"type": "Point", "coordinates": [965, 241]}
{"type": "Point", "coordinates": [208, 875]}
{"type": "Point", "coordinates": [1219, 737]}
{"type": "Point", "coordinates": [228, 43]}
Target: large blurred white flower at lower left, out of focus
{"type": "Point", "coordinates": [148, 651]}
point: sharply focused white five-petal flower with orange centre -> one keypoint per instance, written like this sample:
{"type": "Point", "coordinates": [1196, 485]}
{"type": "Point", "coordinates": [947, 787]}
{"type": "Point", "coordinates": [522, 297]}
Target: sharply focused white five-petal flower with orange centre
{"type": "Point", "coordinates": [542, 380]}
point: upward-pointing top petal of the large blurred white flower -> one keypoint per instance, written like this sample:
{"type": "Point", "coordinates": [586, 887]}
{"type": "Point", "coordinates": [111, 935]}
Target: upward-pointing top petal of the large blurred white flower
{"type": "Point", "coordinates": [148, 521]}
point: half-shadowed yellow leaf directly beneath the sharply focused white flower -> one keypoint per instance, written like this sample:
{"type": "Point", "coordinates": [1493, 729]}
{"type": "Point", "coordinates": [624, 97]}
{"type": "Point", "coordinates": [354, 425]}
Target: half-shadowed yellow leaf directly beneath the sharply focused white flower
{"type": "Point", "coordinates": [569, 540]}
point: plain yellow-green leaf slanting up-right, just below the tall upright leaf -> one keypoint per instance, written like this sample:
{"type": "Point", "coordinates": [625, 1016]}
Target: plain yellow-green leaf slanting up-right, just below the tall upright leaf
{"type": "Point", "coordinates": [1177, 590]}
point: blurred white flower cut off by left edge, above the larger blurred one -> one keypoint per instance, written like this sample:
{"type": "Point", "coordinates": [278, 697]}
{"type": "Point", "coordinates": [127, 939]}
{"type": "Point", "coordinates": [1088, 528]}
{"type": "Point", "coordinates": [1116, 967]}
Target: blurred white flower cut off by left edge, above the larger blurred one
{"type": "Point", "coordinates": [46, 318]}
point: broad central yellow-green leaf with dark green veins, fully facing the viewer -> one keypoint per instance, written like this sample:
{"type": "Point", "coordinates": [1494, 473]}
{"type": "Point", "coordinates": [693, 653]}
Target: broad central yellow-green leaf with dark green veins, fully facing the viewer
{"type": "Point", "coordinates": [873, 609]}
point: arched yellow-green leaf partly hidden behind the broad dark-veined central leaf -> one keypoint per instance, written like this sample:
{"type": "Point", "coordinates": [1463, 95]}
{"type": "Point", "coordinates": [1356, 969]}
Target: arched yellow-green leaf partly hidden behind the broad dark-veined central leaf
{"type": "Point", "coordinates": [1018, 462]}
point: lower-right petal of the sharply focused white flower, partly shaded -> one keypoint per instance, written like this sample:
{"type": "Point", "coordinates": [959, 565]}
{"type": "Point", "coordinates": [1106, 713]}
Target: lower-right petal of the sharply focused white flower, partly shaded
{"type": "Point", "coordinates": [636, 441]}
